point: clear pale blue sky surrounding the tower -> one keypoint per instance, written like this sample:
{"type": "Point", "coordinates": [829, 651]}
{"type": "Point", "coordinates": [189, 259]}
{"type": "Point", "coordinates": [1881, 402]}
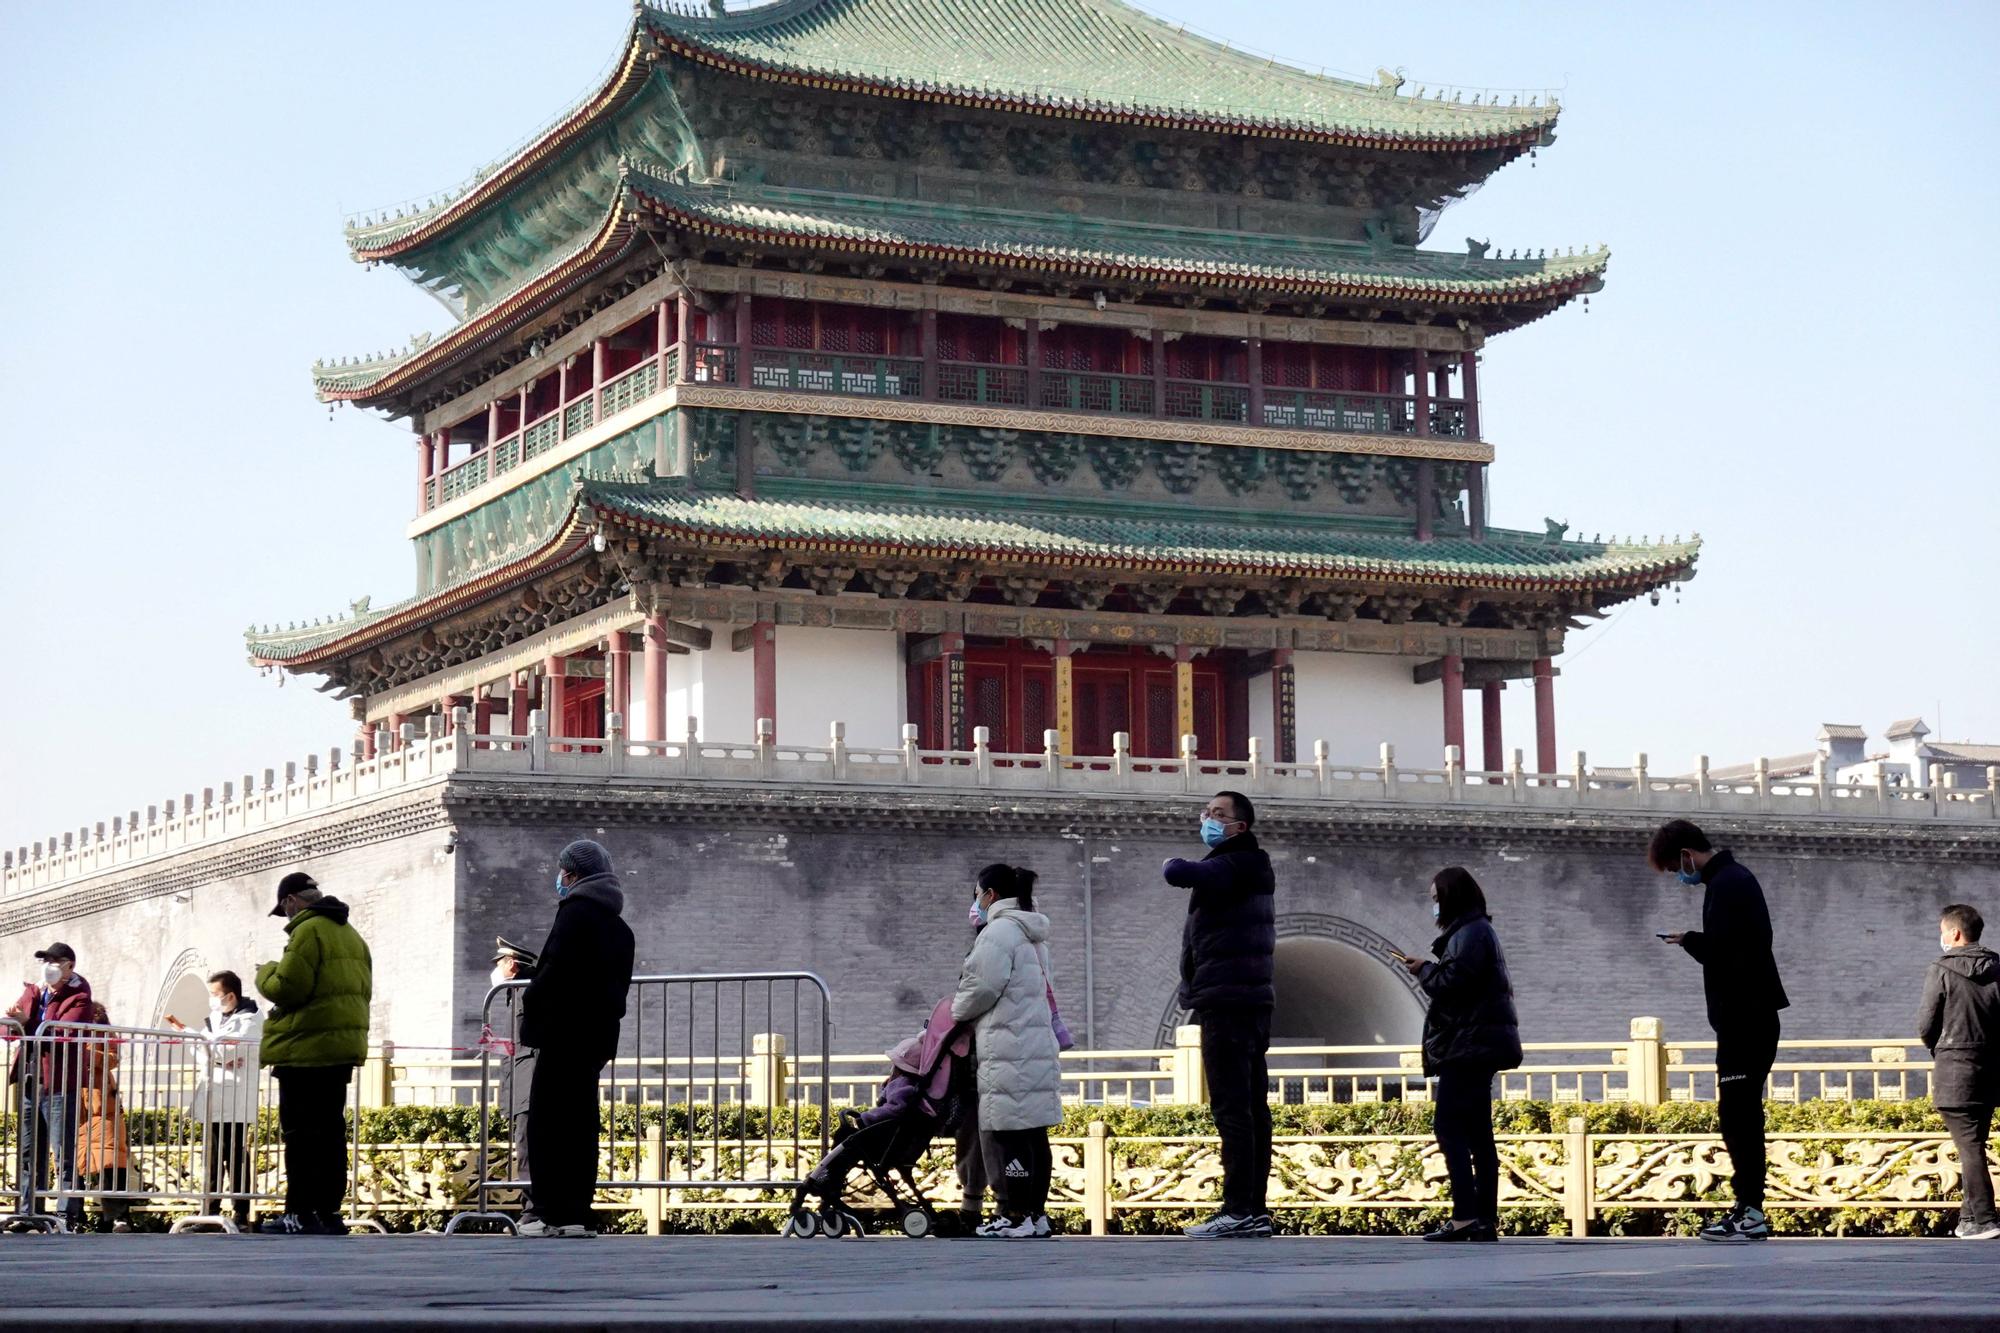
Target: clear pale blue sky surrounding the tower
{"type": "Point", "coordinates": [1789, 355]}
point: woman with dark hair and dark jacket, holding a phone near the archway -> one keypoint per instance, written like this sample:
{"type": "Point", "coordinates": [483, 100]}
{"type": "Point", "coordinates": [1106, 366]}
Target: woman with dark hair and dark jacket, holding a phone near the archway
{"type": "Point", "coordinates": [1471, 1036]}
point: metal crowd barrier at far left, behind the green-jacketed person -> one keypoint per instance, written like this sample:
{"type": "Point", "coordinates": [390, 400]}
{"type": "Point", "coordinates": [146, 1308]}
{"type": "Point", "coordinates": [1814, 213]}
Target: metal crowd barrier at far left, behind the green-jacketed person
{"type": "Point", "coordinates": [143, 1118]}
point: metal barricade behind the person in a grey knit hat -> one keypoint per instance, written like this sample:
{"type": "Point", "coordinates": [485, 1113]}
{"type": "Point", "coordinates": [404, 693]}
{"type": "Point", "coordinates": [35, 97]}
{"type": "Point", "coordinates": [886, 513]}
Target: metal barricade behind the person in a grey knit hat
{"type": "Point", "coordinates": [703, 1094]}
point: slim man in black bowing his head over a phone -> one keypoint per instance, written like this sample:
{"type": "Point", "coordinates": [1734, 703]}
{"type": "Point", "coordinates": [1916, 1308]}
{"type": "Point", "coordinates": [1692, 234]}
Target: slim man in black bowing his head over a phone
{"type": "Point", "coordinates": [1745, 996]}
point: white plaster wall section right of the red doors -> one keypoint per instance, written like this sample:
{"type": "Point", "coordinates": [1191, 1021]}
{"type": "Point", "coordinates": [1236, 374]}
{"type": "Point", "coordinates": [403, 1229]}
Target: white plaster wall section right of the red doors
{"type": "Point", "coordinates": [1355, 702]}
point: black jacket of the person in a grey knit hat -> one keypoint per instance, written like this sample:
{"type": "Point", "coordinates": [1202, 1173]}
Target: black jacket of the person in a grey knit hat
{"type": "Point", "coordinates": [577, 1000]}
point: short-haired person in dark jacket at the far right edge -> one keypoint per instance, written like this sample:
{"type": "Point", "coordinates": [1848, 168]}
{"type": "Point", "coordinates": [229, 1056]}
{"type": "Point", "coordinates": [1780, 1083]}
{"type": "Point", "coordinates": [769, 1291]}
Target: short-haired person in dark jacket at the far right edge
{"type": "Point", "coordinates": [1961, 1024]}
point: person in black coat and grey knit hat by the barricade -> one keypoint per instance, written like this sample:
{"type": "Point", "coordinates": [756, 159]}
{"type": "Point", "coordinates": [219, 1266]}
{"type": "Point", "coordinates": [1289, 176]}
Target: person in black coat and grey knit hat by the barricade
{"type": "Point", "coordinates": [571, 1016]}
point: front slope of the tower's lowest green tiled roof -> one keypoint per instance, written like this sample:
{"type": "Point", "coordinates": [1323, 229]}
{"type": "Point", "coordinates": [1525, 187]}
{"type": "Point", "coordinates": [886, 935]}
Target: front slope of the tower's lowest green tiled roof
{"type": "Point", "coordinates": [1129, 539]}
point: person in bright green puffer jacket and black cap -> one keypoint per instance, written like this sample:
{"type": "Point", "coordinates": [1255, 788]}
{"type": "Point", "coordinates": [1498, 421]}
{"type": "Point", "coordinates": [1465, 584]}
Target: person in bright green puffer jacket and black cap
{"type": "Point", "coordinates": [315, 1038]}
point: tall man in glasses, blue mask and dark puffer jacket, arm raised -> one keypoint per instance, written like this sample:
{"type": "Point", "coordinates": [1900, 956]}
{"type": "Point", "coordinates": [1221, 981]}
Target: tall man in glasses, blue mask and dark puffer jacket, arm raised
{"type": "Point", "coordinates": [1229, 952]}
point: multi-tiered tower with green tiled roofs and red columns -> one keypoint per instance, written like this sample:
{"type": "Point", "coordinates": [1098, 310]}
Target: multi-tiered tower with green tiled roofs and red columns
{"type": "Point", "coordinates": [1029, 365]}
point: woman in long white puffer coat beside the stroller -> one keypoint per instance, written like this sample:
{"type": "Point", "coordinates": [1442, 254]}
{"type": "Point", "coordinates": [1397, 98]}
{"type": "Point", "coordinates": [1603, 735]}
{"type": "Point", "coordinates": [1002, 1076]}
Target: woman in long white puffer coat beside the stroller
{"type": "Point", "coordinates": [1005, 992]}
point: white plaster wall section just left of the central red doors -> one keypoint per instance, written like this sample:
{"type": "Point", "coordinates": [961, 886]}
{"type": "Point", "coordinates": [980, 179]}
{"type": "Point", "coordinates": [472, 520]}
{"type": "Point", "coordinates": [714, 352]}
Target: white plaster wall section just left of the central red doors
{"type": "Point", "coordinates": [845, 676]}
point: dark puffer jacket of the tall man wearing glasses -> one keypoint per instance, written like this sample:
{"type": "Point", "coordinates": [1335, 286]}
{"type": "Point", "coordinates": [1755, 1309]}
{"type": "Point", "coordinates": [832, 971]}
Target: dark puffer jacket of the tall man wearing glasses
{"type": "Point", "coordinates": [1231, 938]}
